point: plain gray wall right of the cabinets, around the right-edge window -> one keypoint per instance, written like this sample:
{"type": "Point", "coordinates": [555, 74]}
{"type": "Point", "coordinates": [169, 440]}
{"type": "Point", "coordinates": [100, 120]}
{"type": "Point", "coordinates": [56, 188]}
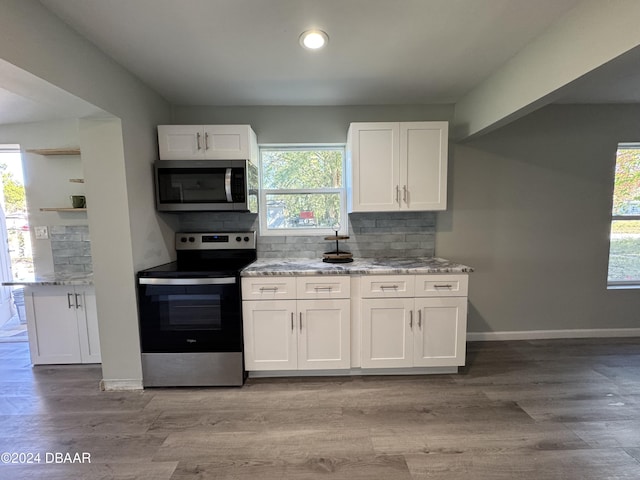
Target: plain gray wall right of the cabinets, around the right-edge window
{"type": "Point", "coordinates": [530, 209]}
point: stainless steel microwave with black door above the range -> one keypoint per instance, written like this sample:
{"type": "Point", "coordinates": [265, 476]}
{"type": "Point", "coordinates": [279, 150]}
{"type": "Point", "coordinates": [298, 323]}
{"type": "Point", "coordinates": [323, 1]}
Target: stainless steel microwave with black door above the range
{"type": "Point", "coordinates": [206, 185]}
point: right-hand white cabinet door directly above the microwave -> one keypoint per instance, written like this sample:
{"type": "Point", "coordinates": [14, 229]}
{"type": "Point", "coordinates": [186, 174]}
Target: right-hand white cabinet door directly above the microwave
{"type": "Point", "coordinates": [228, 142]}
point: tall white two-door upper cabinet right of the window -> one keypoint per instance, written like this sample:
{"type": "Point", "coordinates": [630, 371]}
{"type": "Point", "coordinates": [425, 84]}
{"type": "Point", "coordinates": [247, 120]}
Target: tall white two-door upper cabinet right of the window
{"type": "Point", "coordinates": [397, 166]}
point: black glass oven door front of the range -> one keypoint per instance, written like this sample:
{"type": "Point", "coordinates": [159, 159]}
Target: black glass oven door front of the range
{"type": "Point", "coordinates": [193, 318]}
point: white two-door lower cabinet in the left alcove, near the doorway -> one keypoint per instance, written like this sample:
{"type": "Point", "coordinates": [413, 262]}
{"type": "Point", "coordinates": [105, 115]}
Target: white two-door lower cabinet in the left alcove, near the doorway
{"type": "Point", "coordinates": [63, 324]}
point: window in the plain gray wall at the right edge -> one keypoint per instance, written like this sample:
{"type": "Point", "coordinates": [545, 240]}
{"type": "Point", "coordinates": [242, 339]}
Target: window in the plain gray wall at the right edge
{"type": "Point", "coordinates": [624, 250]}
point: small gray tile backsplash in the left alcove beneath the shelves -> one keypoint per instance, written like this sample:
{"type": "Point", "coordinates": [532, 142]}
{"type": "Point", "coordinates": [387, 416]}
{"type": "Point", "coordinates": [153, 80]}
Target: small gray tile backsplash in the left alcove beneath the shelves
{"type": "Point", "coordinates": [71, 248]}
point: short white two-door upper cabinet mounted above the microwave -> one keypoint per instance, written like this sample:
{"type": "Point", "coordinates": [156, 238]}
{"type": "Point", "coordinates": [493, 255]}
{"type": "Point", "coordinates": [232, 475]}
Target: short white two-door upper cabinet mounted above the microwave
{"type": "Point", "coordinates": [202, 142]}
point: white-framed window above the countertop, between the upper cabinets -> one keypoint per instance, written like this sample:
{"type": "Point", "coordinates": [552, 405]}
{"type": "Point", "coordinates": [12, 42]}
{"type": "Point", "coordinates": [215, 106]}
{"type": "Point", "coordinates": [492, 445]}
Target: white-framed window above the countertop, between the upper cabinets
{"type": "Point", "coordinates": [302, 190]}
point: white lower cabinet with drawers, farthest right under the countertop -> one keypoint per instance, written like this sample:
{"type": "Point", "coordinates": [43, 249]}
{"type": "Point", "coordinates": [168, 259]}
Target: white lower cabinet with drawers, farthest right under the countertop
{"type": "Point", "coordinates": [401, 330]}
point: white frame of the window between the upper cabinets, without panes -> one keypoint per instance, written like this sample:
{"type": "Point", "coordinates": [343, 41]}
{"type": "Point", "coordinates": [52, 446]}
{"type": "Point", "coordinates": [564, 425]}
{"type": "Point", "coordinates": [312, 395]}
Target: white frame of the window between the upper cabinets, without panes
{"type": "Point", "coordinates": [301, 231]}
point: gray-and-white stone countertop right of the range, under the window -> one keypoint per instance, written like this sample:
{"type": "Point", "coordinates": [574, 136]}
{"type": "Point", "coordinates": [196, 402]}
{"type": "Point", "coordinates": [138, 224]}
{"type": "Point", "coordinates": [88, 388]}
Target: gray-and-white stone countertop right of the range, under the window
{"type": "Point", "coordinates": [360, 266]}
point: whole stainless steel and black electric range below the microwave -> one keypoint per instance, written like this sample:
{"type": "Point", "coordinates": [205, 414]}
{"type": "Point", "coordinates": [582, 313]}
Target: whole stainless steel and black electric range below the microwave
{"type": "Point", "coordinates": [191, 312]}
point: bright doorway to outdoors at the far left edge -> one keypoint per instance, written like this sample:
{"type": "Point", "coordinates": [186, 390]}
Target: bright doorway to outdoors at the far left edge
{"type": "Point", "coordinates": [16, 260]}
